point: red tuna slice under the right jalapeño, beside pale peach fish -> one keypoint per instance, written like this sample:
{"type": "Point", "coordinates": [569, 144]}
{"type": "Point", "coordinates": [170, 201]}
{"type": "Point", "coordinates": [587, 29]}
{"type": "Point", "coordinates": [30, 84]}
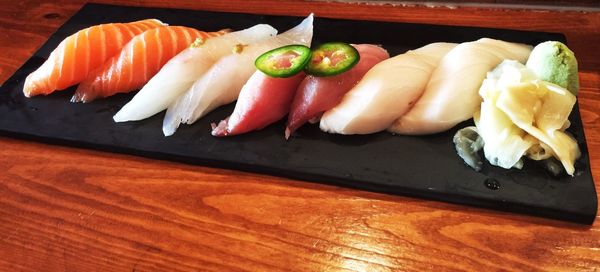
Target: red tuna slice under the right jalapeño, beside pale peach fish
{"type": "Point", "coordinates": [319, 94]}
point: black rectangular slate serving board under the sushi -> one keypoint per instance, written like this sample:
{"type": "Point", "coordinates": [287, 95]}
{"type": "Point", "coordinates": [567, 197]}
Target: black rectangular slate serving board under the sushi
{"type": "Point", "coordinates": [425, 166]}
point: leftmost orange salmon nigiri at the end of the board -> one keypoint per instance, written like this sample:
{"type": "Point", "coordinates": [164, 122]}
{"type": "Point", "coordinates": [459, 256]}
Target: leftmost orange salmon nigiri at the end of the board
{"type": "Point", "coordinates": [81, 53]}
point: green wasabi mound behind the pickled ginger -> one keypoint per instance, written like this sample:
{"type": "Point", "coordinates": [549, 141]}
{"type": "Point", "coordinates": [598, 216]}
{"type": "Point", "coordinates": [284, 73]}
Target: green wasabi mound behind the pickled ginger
{"type": "Point", "coordinates": [554, 62]}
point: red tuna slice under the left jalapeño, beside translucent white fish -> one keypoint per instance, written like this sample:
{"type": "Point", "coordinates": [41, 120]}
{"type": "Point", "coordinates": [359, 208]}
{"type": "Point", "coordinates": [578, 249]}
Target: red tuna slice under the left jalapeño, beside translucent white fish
{"type": "Point", "coordinates": [263, 100]}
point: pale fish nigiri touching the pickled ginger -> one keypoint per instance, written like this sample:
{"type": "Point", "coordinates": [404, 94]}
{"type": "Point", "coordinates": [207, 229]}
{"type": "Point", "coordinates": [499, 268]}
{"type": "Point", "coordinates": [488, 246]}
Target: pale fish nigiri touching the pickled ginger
{"type": "Point", "coordinates": [451, 95]}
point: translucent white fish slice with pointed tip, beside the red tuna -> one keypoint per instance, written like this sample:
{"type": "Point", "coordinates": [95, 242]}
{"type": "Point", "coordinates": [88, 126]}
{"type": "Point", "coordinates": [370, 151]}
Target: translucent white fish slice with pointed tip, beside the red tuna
{"type": "Point", "coordinates": [222, 83]}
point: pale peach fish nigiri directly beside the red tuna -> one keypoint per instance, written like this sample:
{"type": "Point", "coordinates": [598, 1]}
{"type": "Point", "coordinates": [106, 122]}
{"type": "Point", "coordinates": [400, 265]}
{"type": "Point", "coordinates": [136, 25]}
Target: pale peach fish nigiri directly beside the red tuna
{"type": "Point", "coordinates": [386, 92]}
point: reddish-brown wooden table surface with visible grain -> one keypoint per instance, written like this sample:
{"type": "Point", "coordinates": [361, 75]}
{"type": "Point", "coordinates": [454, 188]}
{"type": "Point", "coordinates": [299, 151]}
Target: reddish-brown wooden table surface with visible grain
{"type": "Point", "coordinates": [68, 209]}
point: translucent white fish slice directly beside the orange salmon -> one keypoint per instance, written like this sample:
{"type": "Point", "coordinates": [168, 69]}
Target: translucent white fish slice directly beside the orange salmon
{"type": "Point", "coordinates": [178, 75]}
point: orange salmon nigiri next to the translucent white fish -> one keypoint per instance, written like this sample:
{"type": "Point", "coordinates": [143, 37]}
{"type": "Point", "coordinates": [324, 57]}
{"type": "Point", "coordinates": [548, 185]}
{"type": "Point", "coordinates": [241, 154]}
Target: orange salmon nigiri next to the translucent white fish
{"type": "Point", "coordinates": [138, 61]}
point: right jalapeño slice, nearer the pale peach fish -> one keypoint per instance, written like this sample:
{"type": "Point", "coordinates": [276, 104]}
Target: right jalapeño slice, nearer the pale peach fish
{"type": "Point", "coordinates": [332, 58]}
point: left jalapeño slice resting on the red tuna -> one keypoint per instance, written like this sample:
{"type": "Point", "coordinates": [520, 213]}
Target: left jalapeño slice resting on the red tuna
{"type": "Point", "coordinates": [284, 61]}
